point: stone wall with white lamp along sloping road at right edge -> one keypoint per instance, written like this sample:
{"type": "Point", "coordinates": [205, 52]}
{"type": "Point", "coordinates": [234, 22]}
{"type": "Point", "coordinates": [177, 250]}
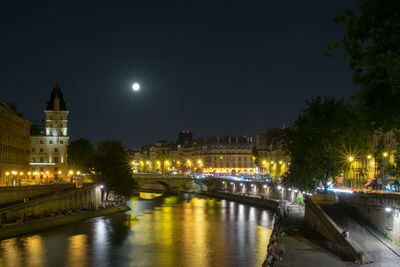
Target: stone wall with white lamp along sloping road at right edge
{"type": "Point", "coordinates": [381, 211]}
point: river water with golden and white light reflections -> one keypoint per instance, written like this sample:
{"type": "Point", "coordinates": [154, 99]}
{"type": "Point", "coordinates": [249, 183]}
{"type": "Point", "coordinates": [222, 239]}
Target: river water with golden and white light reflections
{"type": "Point", "coordinates": [184, 230]}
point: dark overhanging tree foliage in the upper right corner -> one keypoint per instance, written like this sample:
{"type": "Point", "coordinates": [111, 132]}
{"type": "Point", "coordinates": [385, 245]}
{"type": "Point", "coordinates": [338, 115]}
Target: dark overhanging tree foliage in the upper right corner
{"type": "Point", "coordinates": [371, 44]}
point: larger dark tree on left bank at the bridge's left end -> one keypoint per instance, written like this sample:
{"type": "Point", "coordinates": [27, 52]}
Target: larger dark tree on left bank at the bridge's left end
{"type": "Point", "coordinates": [111, 167]}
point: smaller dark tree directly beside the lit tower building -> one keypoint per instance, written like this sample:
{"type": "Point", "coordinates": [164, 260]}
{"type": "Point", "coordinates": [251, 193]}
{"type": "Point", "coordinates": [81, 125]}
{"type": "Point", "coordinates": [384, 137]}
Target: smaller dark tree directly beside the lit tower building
{"type": "Point", "coordinates": [80, 153]}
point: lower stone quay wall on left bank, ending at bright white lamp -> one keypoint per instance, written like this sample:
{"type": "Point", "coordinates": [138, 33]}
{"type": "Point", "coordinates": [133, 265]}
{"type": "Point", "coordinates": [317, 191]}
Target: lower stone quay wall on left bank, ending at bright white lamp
{"type": "Point", "coordinates": [82, 198]}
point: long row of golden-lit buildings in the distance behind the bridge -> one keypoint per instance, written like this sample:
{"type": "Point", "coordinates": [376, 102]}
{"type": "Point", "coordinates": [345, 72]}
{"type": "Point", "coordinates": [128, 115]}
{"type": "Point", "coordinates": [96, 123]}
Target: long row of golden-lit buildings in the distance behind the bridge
{"type": "Point", "coordinates": [212, 155]}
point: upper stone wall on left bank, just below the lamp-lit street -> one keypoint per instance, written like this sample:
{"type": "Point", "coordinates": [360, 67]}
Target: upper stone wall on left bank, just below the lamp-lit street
{"type": "Point", "coordinates": [14, 194]}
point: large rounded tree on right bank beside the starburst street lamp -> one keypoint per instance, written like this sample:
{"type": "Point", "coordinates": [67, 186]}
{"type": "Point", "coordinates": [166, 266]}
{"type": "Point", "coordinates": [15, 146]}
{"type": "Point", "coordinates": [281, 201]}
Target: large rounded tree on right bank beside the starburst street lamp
{"type": "Point", "coordinates": [320, 141]}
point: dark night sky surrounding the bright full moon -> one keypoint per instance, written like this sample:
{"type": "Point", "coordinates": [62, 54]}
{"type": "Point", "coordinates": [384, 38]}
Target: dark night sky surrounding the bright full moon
{"type": "Point", "coordinates": [232, 68]}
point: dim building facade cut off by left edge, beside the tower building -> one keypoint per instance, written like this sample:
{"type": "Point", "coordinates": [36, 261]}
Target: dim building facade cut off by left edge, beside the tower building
{"type": "Point", "coordinates": [14, 145]}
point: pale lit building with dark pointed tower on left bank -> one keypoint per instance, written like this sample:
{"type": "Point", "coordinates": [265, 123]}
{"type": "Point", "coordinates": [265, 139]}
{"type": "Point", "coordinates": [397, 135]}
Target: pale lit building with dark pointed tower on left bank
{"type": "Point", "coordinates": [48, 160]}
